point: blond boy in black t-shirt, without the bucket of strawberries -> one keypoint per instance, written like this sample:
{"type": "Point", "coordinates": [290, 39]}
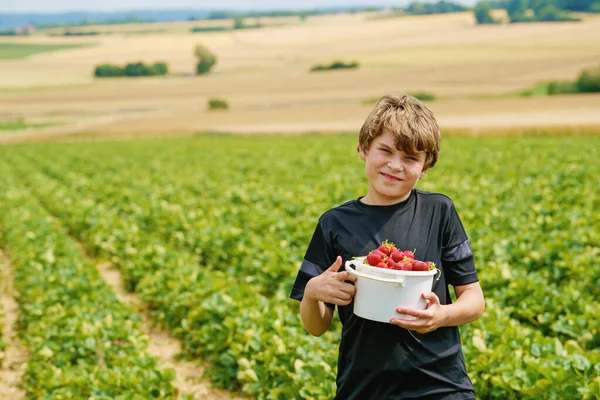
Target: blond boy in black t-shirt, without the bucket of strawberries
{"type": "Point", "coordinates": [405, 359]}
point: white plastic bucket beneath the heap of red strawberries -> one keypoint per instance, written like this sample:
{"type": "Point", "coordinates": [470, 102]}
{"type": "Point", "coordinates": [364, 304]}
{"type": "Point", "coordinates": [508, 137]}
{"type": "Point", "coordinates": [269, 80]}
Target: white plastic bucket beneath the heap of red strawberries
{"type": "Point", "coordinates": [379, 292]}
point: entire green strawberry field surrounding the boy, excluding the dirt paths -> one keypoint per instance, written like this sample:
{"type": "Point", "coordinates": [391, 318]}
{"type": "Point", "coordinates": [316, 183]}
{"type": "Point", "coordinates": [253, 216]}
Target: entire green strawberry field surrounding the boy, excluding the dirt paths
{"type": "Point", "coordinates": [209, 232]}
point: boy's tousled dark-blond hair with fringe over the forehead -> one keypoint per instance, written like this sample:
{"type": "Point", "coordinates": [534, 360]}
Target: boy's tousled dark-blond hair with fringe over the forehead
{"type": "Point", "coordinates": [412, 123]}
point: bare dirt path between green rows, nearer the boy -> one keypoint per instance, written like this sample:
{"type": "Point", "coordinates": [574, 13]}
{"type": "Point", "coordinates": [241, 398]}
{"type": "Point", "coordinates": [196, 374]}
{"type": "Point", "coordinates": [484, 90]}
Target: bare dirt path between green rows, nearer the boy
{"type": "Point", "coordinates": [162, 345]}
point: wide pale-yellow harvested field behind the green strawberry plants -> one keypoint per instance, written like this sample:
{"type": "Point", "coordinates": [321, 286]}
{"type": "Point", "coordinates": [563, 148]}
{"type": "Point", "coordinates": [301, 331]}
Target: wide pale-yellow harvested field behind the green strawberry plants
{"type": "Point", "coordinates": [264, 74]}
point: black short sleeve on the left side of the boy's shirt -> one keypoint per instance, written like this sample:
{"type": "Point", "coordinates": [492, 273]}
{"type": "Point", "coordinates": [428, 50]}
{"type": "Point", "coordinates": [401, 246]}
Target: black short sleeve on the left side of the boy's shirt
{"type": "Point", "coordinates": [319, 256]}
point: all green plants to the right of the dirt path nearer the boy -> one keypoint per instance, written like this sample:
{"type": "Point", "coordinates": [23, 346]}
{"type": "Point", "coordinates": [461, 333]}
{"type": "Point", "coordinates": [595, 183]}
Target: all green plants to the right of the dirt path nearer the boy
{"type": "Point", "coordinates": [213, 243]}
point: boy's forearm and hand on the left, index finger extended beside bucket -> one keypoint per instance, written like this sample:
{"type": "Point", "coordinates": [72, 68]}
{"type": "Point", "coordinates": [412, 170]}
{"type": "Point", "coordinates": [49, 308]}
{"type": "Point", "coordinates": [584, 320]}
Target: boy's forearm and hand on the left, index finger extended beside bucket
{"type": "Point", "coordinates": [329, 287]}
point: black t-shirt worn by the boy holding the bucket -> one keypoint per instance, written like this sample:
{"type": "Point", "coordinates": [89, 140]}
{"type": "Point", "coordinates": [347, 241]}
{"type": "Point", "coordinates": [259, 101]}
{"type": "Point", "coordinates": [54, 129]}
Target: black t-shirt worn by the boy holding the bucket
{"type": "Point", "coordinates": [379, 360]}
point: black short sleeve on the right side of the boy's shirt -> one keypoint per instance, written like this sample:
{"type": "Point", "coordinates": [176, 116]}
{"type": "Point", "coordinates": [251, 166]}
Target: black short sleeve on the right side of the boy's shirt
{"type": "Point", "coordinates": [457, 257]}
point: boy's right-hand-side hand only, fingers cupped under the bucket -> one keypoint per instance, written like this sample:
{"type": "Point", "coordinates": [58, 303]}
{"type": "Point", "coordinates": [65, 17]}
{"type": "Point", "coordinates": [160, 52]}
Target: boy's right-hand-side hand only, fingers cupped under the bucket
{"type": "Point", "coordinates": [427, 320]}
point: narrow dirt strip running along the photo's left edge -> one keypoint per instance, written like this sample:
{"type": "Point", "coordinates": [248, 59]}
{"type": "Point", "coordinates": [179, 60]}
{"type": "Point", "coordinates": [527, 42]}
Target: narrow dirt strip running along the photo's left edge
{"type": "Point", "coordinates": [15, 354]}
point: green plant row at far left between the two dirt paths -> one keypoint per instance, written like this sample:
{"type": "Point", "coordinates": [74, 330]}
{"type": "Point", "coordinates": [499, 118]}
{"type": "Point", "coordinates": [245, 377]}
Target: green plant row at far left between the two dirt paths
{"type": "Point", "coordinates": [83, 342]}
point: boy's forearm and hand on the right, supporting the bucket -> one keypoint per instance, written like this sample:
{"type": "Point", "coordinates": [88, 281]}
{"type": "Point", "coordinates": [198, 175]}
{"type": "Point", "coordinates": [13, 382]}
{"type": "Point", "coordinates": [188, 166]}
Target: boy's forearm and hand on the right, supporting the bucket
{"type": "Point", "coordinates": [469, 306]}
